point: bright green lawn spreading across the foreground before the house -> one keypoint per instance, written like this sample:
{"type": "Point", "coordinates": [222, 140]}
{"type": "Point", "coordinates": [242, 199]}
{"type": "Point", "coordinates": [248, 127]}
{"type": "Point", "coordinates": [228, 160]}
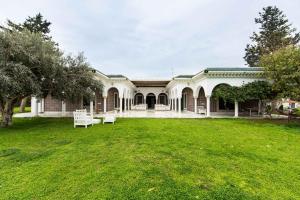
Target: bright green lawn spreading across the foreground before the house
{"type": "Point", "coordinates": [150, 159]}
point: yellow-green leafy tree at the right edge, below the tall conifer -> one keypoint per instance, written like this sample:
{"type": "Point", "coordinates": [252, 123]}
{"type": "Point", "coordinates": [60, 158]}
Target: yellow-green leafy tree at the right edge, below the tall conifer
{"type": "Point", "coordinates": [283, 68]}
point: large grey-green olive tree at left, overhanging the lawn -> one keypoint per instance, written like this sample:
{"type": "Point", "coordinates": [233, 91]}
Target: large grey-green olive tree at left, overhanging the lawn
{"type": "Point", "coordinates": [30, 65]}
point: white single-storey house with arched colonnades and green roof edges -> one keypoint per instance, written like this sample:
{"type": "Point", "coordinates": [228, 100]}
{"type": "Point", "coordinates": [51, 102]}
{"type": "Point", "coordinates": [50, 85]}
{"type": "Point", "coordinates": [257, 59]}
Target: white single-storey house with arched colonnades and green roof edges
{"type": "Point", "coordinates": [183, 93]}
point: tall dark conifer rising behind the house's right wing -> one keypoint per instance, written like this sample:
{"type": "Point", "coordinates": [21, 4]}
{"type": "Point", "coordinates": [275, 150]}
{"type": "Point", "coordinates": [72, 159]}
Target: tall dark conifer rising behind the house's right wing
{"type": "Point", "coordinates": [275, 33]}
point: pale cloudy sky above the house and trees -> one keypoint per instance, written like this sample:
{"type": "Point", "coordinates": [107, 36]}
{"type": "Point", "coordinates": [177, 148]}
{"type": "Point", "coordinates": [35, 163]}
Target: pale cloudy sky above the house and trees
{"type": "Point", "coordinates": [153, 39]}
